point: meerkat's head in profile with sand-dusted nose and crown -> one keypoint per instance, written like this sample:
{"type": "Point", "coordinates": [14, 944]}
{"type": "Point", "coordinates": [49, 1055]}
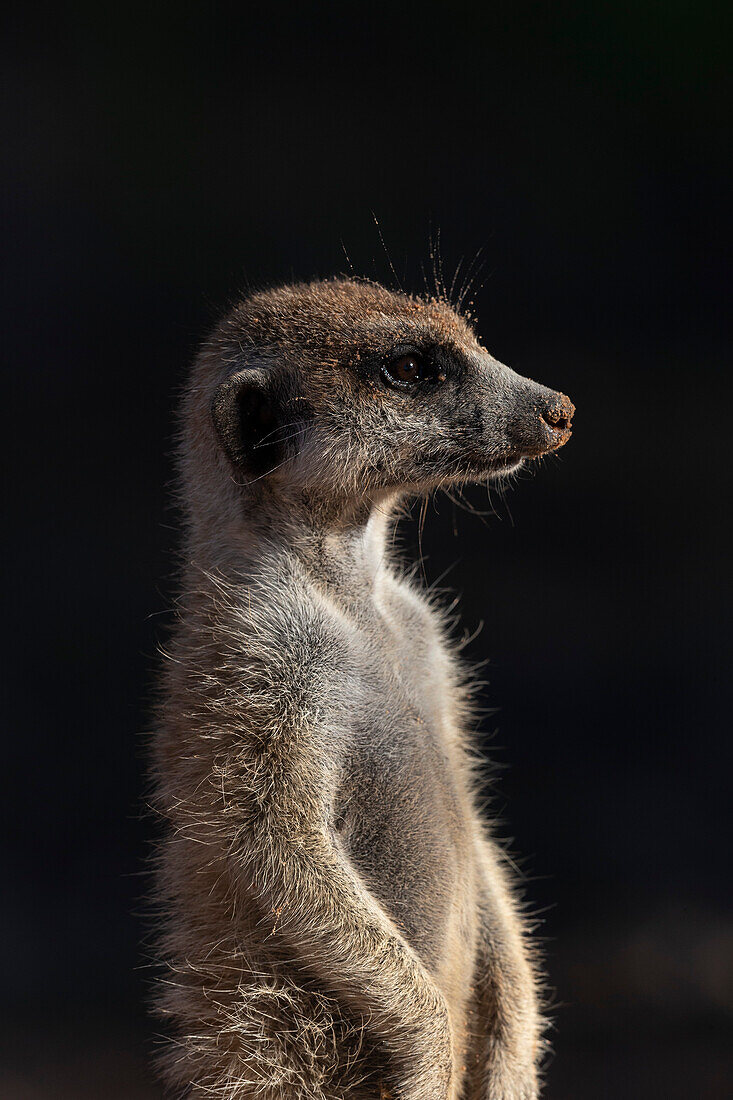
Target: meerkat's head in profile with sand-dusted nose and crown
{"type": "Point", "coordinates": [345, 389]}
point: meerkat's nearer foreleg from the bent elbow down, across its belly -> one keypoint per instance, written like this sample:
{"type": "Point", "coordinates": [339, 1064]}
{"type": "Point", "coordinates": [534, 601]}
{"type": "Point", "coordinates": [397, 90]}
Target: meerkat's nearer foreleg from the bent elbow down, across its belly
{"type": "Point", "coordinates": [337, 930]}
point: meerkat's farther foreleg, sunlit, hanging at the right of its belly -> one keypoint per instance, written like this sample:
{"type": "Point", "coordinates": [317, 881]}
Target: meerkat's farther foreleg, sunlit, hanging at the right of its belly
{"type": "Point", "coordinates": [505, 1024]}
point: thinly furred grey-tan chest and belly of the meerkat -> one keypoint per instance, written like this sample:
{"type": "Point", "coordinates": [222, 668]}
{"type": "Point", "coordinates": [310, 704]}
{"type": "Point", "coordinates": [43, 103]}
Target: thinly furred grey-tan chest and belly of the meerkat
{"type": "Point", "coordinates": [404, 811]}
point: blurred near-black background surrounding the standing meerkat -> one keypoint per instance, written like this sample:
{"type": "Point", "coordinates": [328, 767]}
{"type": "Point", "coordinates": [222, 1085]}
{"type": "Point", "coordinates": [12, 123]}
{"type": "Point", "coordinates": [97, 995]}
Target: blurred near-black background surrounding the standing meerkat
{"type": "Point", "coordinates": [160, 163]}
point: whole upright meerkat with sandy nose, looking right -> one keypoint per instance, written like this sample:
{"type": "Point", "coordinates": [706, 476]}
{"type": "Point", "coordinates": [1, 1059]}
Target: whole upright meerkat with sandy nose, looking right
{"type": "Point", "coordinates": [341, 923]}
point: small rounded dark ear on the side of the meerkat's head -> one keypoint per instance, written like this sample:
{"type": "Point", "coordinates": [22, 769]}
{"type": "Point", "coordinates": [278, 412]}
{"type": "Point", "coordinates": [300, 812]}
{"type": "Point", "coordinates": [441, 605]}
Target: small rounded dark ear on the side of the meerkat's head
{"type": "Point", "coordinates": [247, 419]}
